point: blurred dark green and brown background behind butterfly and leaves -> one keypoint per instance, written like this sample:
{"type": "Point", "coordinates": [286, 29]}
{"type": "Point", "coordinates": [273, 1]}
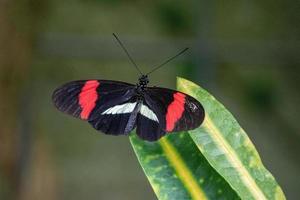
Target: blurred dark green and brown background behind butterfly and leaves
{"type": "Point", "coordinates": [246, 53]}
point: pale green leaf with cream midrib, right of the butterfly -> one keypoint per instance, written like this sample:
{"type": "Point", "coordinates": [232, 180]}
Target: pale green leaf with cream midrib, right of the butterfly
{"type": "Point", "coordinates": [228, 149]}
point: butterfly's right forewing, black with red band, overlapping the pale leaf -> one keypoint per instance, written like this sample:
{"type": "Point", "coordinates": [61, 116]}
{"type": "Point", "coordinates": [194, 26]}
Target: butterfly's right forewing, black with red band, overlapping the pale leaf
{"type": "Point", "coordinates": [176, 111]}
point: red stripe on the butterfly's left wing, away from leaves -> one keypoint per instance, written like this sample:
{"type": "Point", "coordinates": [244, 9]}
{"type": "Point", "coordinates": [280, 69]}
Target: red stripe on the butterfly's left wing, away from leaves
{"type": "Point", "coordinates": [88, 97]}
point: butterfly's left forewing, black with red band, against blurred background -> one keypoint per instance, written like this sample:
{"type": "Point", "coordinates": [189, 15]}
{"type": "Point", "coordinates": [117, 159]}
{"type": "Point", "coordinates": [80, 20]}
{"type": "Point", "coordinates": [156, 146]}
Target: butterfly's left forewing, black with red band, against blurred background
{"type": "Point", "coordinates": [81, 98]}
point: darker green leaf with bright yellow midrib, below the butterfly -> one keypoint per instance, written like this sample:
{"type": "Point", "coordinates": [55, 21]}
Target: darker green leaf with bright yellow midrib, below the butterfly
{"type": "Point", "coordinates": [177, 170]}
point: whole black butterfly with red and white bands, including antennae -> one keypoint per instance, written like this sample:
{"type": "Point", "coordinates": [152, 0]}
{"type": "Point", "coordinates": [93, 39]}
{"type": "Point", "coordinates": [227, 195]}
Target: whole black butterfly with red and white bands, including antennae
{"type": "Point", "coordinates": [116, 108]}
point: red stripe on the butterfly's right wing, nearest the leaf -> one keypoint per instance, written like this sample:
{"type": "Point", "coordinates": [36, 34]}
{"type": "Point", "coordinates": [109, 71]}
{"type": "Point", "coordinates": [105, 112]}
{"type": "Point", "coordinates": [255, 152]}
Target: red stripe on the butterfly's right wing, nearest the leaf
{"type": "Point", "coordinates": [175, 110]}
